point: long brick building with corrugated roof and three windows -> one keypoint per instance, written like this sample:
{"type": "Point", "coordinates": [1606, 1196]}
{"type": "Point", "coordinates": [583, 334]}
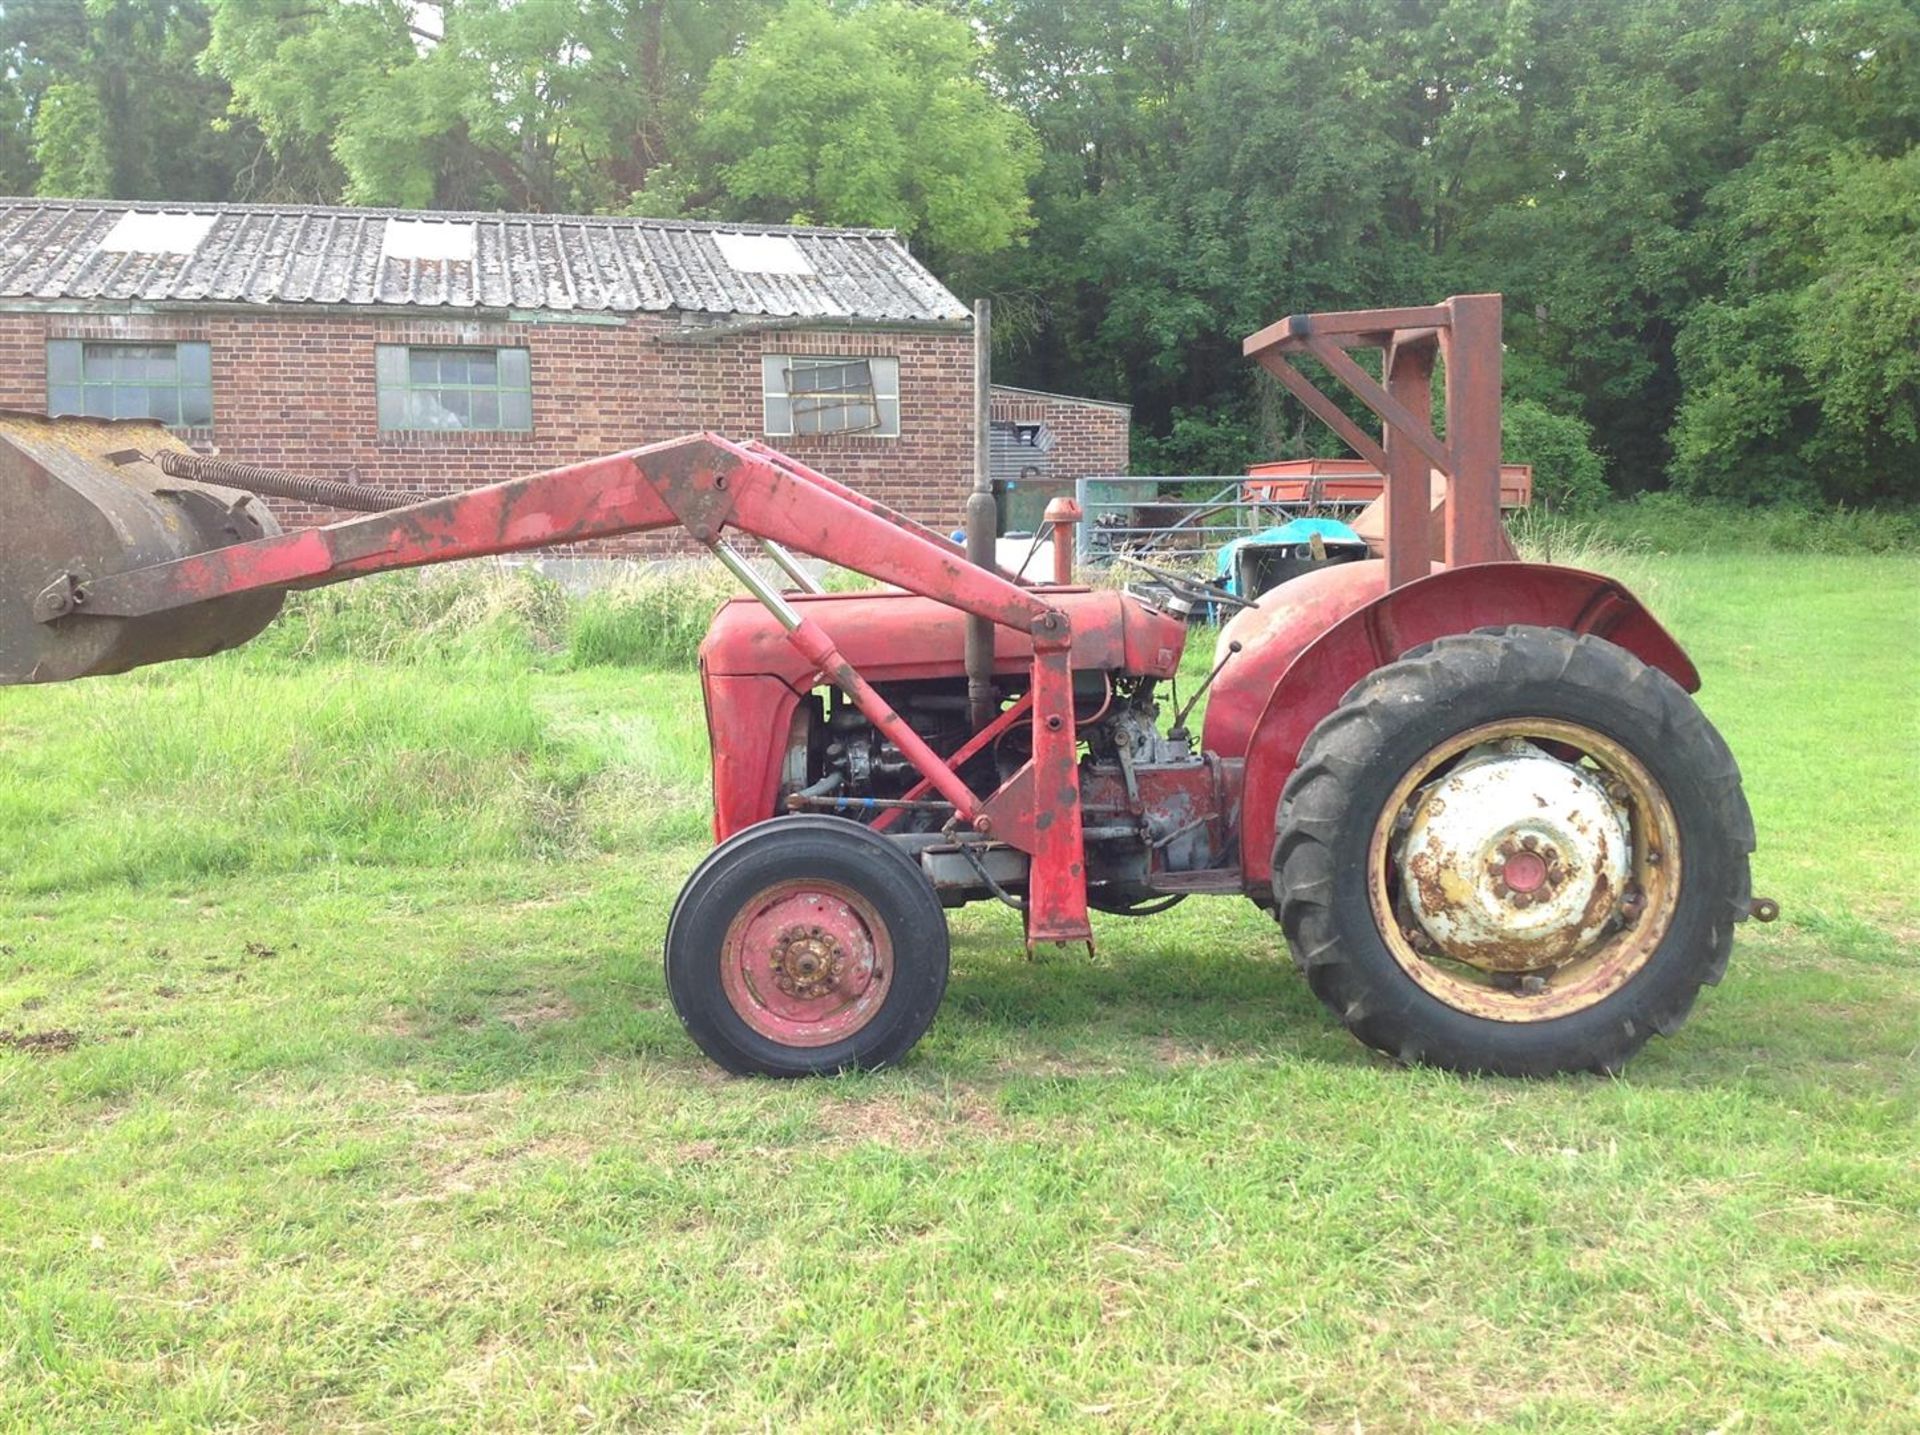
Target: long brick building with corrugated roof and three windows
{"type": "Point", "coordinates": [441, 351]}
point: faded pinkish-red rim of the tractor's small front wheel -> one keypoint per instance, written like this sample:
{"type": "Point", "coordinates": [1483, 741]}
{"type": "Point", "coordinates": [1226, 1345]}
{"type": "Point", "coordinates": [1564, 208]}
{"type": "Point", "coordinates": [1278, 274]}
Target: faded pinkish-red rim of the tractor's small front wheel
{"type": "Point", "coordinates": [807, 963]}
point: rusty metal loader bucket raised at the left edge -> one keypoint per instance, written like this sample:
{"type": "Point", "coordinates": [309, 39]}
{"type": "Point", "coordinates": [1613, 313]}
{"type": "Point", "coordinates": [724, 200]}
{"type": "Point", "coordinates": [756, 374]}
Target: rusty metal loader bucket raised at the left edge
{"type": "Point", "coordinates": [82, 499]}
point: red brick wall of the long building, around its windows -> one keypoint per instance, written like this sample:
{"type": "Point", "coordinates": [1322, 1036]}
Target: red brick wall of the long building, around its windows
{"type": "Point", "coordinates": [297, 393]}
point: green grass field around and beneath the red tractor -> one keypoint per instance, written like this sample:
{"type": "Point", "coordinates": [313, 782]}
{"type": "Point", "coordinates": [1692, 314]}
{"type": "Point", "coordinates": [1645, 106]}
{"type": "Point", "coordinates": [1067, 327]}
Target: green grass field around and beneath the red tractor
{"type": "Point", "coordinates": [339, 1088]}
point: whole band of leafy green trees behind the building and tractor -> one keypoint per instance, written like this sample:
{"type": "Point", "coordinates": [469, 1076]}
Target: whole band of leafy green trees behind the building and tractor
{"type": "Point", "coordinates": [1704, 214]}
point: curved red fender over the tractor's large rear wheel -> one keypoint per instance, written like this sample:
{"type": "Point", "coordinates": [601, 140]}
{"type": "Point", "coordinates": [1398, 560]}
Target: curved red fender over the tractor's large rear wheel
{"type": "Point", "coordinates": [1316, 645]}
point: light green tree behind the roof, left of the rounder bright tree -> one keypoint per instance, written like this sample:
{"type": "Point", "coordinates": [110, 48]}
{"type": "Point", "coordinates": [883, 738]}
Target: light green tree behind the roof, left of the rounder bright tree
{"type": "Point", "coordinates": [523, 105]}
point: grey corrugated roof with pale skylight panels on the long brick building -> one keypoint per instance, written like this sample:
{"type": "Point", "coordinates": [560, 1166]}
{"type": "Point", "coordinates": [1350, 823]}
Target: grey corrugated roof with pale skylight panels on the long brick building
{"type": "Point", "coordinates": [91, 251]}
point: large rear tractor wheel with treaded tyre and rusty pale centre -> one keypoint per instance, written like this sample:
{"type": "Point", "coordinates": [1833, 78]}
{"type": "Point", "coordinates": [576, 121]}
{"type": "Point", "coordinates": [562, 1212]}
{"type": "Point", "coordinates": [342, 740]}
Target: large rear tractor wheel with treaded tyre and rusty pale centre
{"type": "Point", "coordinates": [1514, 852]}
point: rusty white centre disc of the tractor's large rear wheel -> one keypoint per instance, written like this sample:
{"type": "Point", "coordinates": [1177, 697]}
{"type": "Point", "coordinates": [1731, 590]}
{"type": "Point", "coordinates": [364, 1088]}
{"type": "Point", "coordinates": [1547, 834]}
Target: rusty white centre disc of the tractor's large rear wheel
{"type": "Point", "coordinates": [1514, 862]}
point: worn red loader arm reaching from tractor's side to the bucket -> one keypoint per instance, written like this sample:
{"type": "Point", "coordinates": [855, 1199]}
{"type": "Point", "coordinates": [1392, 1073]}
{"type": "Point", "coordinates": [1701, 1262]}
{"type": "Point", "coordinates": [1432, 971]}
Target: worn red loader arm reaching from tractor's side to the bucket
{"type": "Point", "coordinates": [708, 487]}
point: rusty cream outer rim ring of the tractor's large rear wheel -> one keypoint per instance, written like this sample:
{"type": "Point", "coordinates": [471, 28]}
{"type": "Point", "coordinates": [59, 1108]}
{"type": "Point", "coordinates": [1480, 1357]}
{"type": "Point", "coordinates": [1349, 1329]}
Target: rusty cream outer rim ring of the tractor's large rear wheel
{"type": "Point", "coordinates": [1596, 969]}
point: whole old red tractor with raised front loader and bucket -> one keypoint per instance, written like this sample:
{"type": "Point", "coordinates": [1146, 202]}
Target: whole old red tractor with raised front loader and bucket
{"type": "Point", "coordinates": [1493, 825]}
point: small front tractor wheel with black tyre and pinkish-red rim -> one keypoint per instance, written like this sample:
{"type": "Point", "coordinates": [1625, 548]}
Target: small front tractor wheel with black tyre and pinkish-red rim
{"type": "Point", "coordinates": [805, 946]}
